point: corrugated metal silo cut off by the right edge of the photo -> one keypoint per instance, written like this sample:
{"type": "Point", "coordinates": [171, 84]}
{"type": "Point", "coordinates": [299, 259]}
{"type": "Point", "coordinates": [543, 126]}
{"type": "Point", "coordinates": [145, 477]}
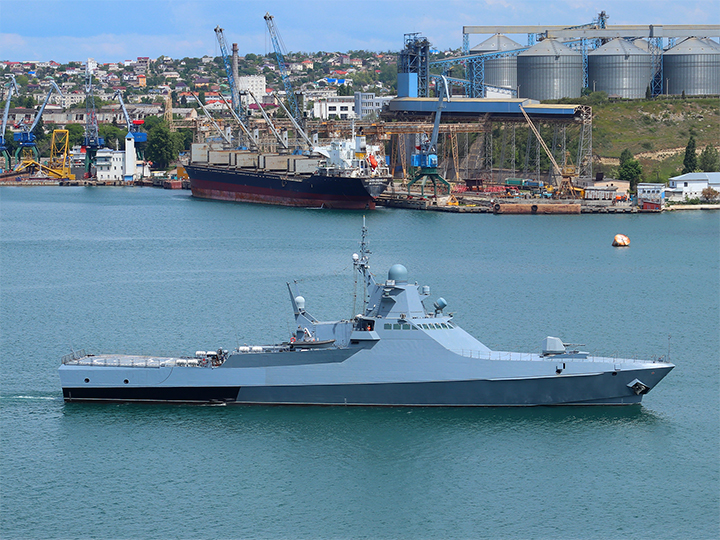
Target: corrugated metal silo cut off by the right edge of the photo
{"type": "Point", "coordinates": [693, 67]}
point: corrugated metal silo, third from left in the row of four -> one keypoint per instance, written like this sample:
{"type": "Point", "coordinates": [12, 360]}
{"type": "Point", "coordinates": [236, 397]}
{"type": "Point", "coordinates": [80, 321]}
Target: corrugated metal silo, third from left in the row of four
{"type": "Point", "coordinates": [620, 69]}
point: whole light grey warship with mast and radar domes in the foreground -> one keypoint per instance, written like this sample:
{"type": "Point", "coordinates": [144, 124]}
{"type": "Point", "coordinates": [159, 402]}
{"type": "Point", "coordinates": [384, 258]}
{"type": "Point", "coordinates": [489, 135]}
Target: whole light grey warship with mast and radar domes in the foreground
{"type": "Point", "coordinates": [397, 352]}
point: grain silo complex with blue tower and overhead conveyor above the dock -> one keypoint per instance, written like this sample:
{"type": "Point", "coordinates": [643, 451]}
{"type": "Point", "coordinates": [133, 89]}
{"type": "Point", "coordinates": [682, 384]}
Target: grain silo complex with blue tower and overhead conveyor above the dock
{"type": "Point", "coordinates": [560, 62]}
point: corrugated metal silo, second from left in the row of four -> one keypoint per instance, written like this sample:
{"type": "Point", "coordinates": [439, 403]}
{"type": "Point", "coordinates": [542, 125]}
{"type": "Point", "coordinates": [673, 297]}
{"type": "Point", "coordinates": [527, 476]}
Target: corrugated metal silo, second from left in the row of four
{"type": "Point", "coordinates": [550, 70]}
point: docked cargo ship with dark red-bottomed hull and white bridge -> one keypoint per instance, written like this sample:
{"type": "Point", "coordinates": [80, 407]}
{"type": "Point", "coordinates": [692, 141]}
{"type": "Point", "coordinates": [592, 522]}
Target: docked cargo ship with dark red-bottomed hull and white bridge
{"type": "Point", "coordinates": [346, 174]}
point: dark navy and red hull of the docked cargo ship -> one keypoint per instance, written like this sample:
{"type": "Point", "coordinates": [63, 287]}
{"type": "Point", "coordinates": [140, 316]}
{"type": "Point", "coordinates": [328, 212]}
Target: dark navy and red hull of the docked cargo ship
{"type": "Point", "coordinates": [312, 190]}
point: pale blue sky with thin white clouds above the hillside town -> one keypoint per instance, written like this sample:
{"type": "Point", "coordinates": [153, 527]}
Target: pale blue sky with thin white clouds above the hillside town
{"type": "Point", "coordinates": [111, 31]}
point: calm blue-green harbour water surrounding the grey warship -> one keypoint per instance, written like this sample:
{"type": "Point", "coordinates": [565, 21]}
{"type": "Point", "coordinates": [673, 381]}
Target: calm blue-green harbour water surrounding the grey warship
{"type": "Point", "coordinates": [139, 270]}
